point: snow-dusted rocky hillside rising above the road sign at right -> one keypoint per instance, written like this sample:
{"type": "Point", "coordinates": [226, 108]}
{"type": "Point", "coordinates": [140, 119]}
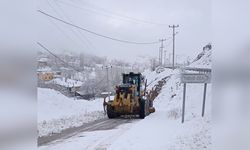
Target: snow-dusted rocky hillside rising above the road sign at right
{"type": "Point", "coordinates": [204, 59]}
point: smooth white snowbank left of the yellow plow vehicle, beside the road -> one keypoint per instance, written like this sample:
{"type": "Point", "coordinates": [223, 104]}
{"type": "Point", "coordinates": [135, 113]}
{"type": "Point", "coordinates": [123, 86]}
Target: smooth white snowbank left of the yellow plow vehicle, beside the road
{"type": "Point", "coordinates": [57, 112]}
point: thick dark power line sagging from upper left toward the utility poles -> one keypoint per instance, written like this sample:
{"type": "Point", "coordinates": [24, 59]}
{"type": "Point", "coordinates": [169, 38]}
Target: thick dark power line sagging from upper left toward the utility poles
{"type": "Point", "coordinates": [92, 32]}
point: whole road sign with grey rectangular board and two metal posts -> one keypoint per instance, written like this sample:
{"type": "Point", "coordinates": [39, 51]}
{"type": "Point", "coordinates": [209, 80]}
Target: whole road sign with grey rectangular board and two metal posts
{"type": "Point", "coordinates": [194, 78]}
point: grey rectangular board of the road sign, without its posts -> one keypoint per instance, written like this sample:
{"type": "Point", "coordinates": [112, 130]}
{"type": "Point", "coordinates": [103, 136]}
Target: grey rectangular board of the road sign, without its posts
{"type": "Point", "coordinates": [195, 78]}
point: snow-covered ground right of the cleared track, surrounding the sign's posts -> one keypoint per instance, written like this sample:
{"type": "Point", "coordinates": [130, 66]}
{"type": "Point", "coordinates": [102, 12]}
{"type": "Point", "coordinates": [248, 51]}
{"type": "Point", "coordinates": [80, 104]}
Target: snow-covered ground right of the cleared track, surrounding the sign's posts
{"type": "Point", "coordinates": [160, 130]}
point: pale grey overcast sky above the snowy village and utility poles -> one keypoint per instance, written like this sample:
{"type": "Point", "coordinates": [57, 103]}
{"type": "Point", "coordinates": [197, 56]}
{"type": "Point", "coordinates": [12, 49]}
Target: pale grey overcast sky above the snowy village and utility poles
{"type": "Point", "coordinates": [131, 20]}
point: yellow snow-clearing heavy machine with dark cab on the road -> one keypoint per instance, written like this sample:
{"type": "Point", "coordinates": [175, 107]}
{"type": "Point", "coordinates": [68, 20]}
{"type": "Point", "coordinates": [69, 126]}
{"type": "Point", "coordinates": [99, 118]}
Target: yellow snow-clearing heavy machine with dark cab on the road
{"type": "Point", "coordinates": [130, 98]}
